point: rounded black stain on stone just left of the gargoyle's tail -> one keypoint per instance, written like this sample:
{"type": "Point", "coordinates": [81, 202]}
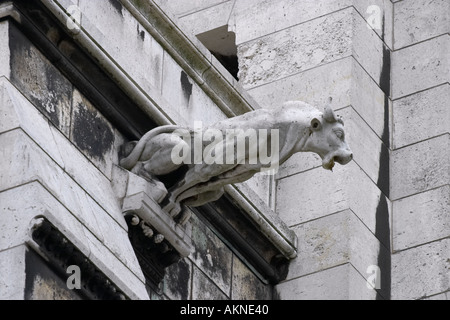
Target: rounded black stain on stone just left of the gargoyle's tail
{"type": "Point", "coordinates": [91, 132]}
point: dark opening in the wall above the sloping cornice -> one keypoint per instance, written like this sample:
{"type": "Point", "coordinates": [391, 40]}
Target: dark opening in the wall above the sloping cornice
{"type": "Point", "coordinates": [222, 44]}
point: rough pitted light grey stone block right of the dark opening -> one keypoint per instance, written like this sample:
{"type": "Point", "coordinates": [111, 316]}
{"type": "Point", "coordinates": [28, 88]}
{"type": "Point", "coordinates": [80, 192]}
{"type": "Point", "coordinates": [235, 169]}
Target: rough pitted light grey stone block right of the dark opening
{"type": "Point", "coordinates": [295, 49]}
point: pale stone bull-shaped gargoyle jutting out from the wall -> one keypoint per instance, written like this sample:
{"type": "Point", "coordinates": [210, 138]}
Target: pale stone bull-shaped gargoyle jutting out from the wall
{"type": "Point", "coordinates": [232, 151]}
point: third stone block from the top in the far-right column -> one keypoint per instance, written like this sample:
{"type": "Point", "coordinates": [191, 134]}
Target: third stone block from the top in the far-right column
{"type": "Point", "coordinates": [421, 116]}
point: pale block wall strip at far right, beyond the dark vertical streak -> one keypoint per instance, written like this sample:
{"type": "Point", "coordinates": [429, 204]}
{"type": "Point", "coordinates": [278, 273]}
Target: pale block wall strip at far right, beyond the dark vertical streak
{"type": "Point", "coordinates": [421, 144]}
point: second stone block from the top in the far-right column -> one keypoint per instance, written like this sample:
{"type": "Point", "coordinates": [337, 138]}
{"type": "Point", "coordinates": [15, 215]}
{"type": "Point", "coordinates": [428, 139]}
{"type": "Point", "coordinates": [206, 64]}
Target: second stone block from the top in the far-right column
{"type": "Point", "coordinates": [420, 66]}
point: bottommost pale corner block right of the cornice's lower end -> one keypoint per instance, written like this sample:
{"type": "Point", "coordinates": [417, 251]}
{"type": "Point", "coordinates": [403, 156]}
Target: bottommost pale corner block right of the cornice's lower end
{"type": "Point", "coordinates": [339, 283]}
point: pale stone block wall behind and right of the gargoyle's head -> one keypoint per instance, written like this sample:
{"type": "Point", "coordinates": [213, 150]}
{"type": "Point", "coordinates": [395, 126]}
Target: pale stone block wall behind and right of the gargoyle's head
{"type": "Point", "coordinates": [385, 63]}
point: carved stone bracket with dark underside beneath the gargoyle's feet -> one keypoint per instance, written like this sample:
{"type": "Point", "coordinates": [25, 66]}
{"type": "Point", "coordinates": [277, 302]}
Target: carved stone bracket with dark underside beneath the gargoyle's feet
{"type": "Point", "coordinates": [158, 240]}
